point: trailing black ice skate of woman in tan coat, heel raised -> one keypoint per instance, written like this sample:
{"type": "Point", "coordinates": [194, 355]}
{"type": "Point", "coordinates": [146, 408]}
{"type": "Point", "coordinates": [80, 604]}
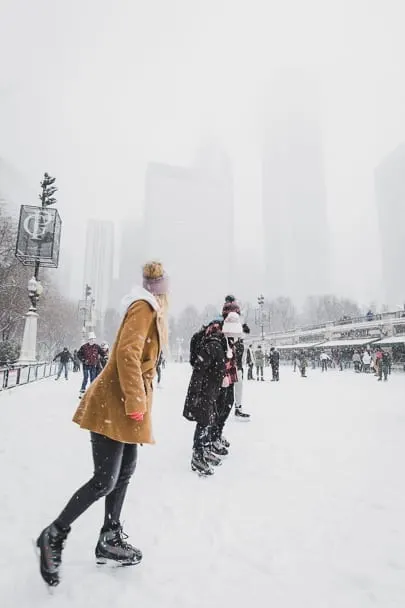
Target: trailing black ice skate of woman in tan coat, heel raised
{"type": "Point", "coordinates": [50, 544]}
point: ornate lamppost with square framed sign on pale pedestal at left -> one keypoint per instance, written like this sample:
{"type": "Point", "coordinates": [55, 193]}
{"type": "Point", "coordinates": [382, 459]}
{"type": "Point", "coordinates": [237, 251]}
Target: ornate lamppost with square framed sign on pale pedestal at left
{"type": "Point", "coordinates": [37, 245]}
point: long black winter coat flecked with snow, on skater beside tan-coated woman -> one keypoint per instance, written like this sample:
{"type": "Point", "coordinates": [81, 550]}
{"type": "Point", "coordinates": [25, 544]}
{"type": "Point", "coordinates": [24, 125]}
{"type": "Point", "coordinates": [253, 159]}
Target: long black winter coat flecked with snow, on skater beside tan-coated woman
{"type": "Point", "coordinates": [206, 380]}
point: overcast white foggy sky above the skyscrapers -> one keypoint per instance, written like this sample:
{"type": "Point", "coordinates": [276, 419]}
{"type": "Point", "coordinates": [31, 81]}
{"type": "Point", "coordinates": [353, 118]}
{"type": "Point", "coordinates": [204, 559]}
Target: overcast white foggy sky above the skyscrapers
{"type": "Point", "coordinates": [91, 90]}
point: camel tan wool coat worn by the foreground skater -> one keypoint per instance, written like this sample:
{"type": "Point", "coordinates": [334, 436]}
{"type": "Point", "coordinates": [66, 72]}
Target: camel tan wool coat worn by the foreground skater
{"type": "Point", "coordinates": [125, 384]}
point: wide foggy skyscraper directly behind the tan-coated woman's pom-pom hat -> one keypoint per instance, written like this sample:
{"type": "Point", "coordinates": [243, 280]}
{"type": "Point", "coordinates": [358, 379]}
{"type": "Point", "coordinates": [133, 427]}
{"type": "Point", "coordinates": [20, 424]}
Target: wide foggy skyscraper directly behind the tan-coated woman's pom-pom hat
{"type": "Point", "coordinates": [189, 225]}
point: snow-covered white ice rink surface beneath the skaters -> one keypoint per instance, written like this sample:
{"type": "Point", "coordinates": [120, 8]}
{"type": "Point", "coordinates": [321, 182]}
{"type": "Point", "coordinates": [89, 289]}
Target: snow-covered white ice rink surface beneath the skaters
{"type": "Point", "coordinates": [307, 511]}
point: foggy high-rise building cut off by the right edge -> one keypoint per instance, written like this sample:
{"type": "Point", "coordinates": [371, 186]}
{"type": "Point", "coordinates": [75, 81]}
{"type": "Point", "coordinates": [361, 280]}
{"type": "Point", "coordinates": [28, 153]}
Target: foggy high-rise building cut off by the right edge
{"type": "Point", "coordinates": [390, 198]}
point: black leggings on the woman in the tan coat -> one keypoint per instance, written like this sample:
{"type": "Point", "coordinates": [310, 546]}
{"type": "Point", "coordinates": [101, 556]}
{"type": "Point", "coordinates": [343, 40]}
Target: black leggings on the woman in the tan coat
{"type": "Point", "coordinates": [114, 465]}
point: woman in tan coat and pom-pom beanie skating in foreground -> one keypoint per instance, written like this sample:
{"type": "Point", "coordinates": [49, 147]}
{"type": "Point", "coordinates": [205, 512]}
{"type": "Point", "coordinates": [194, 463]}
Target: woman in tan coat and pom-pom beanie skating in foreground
{"type": "Point", "coordinates": [116, 409]}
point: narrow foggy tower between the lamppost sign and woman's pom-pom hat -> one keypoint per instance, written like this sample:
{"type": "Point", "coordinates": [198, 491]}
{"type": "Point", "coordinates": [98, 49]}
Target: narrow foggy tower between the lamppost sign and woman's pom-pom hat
{"type": "Point", "coordinates": [99, 263]}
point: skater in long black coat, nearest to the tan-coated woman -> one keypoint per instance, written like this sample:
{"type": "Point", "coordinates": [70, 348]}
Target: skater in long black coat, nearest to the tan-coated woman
{"type": "Point", "coordinates": [203, 392]}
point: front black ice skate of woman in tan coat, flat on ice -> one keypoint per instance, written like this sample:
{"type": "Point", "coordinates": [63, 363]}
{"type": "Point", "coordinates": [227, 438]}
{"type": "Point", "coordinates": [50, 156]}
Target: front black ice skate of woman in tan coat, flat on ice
{"type": "Point", "coordinates": [112, 548]}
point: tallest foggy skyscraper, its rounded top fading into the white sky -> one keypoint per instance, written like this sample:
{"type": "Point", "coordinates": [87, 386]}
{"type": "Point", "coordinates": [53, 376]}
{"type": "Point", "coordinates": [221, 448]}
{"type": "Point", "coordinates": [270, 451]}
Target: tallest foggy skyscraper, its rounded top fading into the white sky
{"type": "Point", "coordinates": [296, 234]}
